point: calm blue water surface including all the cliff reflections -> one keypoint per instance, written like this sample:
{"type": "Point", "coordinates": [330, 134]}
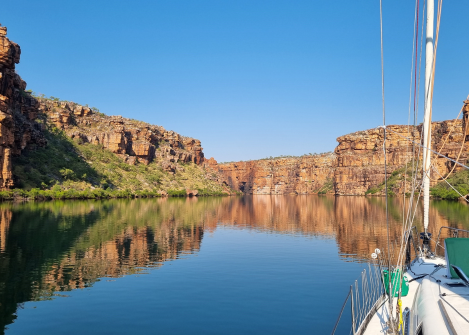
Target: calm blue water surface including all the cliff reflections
{"type": "Point", "coordinates": [250, 265]}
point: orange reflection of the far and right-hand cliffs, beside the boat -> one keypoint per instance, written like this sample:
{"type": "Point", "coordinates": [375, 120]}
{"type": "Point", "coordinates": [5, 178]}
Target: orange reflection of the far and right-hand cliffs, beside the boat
{"type": "Point", "coordinates": [357, 223]}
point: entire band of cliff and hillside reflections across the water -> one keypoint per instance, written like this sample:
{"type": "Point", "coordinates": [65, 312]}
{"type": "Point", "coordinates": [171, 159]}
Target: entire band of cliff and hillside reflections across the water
{"type": "Point", "coordinates": [50, 247]}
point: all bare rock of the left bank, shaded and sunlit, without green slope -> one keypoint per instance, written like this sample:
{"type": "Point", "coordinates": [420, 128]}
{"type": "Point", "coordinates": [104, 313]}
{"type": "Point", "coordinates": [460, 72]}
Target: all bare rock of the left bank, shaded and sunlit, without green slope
{"type": "Point", "coordinates": [133, 141]}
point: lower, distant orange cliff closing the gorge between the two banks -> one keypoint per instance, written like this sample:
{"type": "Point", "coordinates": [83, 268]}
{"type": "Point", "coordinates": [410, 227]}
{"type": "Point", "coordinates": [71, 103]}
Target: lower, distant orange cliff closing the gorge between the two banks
{"type": "Point", "coordinates": [297, 175]}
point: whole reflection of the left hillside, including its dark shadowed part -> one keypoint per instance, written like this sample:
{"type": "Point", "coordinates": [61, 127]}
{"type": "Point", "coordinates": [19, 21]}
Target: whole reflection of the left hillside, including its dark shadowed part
{"type": "Point", "coordinates": [58, 246]}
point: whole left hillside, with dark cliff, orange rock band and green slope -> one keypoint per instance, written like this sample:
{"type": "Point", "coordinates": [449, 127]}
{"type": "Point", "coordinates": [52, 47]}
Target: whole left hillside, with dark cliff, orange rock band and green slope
{"type": "Point", "coordinates": [61, 146]}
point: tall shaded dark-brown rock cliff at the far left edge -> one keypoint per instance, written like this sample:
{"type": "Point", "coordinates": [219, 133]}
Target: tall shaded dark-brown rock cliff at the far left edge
{"type": "Point", "coordinates": [18, 111]}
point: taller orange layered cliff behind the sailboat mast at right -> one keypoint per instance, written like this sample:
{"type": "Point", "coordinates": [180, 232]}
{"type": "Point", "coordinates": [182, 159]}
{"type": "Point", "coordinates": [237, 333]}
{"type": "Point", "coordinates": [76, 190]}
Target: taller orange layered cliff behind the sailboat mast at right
{"type": "Point", "coordinates": [359, 165]}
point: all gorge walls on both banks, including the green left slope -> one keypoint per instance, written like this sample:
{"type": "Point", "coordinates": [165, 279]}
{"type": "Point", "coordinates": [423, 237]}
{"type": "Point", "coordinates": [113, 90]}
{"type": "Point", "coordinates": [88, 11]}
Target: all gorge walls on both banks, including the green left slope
{"type": "Point", "coordinates": [112, 152]}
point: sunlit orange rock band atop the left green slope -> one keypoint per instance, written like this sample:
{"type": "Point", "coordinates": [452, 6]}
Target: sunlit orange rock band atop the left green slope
{"type": "Point", "coordinates": [130, 139]}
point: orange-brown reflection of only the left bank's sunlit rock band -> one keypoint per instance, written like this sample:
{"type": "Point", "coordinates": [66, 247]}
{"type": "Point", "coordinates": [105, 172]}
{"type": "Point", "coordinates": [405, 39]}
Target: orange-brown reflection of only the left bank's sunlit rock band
{"type": "Point", "coordinates": [130, 252]}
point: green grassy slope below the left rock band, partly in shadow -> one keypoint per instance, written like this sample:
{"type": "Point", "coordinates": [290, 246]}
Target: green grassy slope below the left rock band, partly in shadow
{"type": "Point", "coordinates": [67, 166]}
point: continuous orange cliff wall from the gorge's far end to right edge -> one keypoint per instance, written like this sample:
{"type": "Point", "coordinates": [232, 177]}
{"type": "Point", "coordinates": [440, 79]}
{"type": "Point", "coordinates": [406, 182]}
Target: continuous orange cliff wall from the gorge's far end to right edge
{"type": "Point", "coordinates": [356, 166]}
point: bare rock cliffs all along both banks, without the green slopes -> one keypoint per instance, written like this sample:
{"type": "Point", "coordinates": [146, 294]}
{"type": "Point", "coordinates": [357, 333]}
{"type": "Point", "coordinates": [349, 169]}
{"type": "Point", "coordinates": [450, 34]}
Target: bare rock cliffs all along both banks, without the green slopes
{"type": "Point", "coordinates": [354, 168]}
